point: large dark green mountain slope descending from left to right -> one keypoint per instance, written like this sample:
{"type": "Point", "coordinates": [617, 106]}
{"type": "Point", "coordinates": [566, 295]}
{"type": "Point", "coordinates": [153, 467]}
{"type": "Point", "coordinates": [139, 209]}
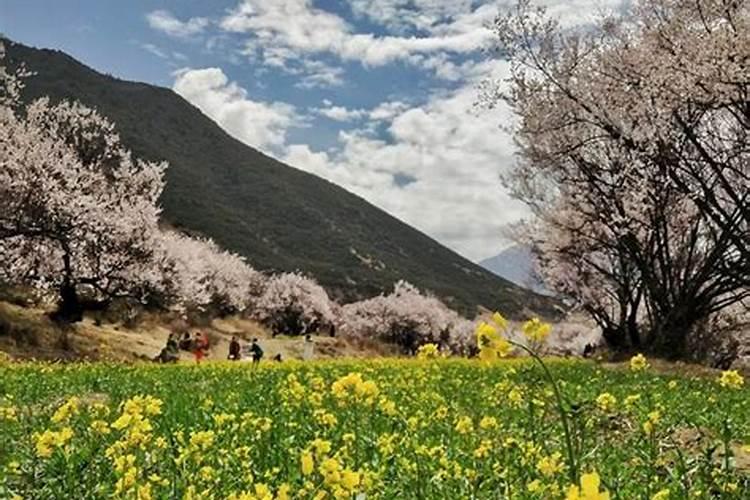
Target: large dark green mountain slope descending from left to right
{"type": "Point", "coordinates": [280, 218]}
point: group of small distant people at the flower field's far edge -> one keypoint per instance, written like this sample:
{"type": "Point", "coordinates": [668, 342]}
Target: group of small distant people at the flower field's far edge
{"type": "Point", "coordinates": [199, 345]}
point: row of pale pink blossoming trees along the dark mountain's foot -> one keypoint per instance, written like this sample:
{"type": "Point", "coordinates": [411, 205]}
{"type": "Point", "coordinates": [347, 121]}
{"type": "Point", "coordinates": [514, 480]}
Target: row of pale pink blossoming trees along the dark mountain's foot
{"type": "Point", "coordinates": [80, 223]}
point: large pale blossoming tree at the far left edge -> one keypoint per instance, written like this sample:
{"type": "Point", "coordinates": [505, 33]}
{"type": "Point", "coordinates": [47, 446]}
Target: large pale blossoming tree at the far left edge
{"type": "Point", "coordinates": [78, 215]}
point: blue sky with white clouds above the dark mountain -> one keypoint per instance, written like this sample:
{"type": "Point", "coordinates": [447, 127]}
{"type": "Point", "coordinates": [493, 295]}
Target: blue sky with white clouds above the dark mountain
{"type": "Point", "coordinates": [377, 96]}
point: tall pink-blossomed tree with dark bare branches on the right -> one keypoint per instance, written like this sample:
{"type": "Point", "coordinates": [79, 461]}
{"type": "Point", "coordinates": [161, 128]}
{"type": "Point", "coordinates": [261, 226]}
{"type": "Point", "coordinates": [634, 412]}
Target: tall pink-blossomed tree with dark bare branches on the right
{"type": "Point", "coordinates": [634, 155]}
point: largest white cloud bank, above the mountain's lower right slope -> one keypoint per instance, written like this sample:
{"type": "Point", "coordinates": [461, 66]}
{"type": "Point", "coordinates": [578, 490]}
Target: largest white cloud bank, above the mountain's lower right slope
{"type": "Point", "coordinates": [453, 155]}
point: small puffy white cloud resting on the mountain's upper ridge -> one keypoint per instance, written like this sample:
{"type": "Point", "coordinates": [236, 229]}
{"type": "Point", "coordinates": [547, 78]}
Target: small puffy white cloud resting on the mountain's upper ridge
{"type": "Point", "coordinates": [260, 124]}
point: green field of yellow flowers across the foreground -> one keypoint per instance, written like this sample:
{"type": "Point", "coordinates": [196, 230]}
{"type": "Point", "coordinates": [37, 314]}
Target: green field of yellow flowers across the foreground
{"type": "Point", "coordinates": [395, 429]}
